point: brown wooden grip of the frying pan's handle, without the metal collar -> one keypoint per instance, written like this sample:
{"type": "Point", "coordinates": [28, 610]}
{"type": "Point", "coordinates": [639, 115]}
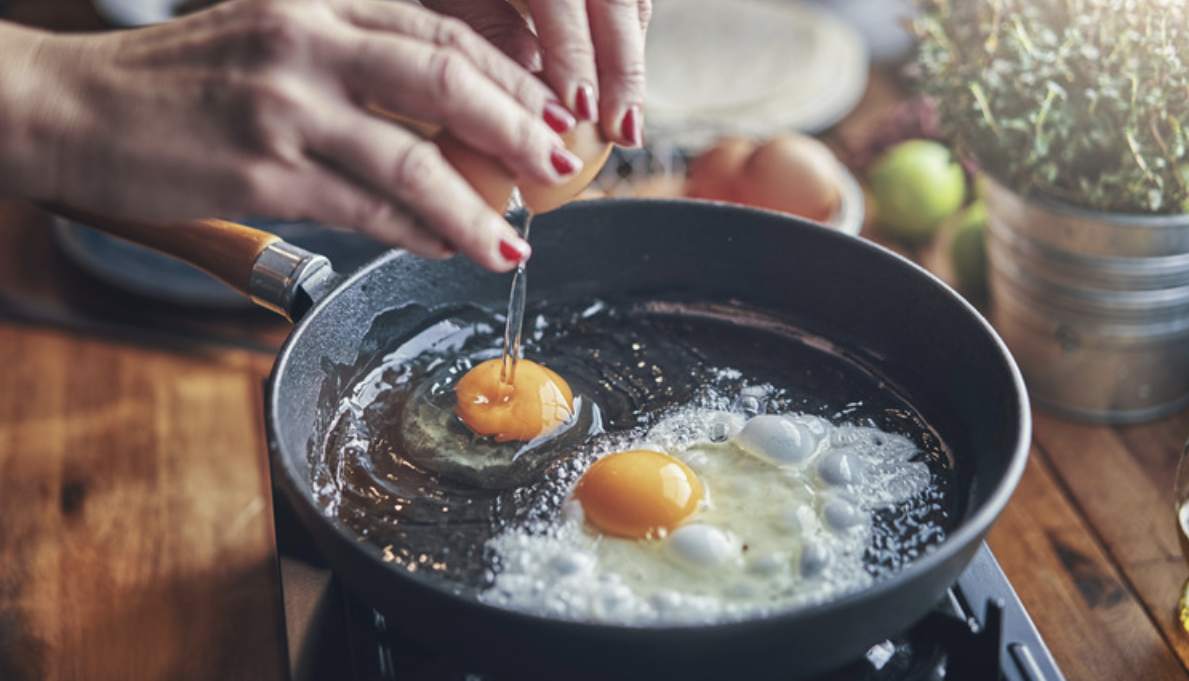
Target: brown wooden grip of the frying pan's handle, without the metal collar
{"type": "Point", "coordinates": [224, 250]}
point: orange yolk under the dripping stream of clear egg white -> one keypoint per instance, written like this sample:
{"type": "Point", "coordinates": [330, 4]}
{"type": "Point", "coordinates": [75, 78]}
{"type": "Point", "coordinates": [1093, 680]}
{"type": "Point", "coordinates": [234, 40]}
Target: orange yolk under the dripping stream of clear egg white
{"type": "Point", "coordinates": [536, 405]}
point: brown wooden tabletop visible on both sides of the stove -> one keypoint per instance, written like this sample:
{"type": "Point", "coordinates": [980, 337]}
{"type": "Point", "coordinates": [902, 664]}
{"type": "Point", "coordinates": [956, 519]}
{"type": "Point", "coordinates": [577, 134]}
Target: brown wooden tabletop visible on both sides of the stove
{"type": "Point", "coordinates": [136, 533]}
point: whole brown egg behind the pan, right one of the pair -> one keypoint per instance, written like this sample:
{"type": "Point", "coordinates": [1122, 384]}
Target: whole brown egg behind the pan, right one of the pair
{"type": "Point", "coordinates": [795, 174]}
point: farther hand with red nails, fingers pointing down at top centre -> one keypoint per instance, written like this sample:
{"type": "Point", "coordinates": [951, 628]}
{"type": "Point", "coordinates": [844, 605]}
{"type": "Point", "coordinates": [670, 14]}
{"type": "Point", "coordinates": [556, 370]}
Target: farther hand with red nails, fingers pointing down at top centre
{"type": "Point", "coordinates": [590, 52]}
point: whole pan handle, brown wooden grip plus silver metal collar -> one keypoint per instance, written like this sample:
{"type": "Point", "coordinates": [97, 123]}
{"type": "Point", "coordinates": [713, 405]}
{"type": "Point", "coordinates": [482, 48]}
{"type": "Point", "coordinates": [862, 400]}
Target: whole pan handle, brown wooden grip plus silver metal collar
{"type": "Point", "coordinates": [274, 274]}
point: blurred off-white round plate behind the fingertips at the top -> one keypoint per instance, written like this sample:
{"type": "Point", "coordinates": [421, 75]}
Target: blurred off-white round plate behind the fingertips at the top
{"type": "Point", "coordinates": [748, 68]}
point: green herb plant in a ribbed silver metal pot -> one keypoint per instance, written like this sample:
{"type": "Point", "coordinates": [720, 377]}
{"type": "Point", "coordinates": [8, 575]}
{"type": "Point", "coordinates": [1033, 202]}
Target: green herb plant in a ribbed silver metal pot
{"type": "Point", "coordinates": [1075, 113]}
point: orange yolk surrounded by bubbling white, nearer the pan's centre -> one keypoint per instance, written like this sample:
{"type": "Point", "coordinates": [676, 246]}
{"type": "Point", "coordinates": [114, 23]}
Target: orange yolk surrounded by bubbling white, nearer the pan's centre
{"type": "Point", "coordinates": [638, 494]}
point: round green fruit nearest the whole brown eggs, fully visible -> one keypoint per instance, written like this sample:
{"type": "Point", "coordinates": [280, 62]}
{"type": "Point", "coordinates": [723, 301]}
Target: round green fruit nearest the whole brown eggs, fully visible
{"type": "Point", "coordinates": [916, 185]}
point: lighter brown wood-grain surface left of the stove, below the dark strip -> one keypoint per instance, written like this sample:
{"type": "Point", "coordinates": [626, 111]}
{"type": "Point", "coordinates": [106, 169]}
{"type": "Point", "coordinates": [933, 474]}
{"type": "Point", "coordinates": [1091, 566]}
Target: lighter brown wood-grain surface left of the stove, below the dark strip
{"type": "Point", "coordinates": [136, 534]}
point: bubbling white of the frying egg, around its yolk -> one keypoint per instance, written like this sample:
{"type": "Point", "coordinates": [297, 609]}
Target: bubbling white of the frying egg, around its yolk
{"type": "Point", "coordinates": [788, 516]}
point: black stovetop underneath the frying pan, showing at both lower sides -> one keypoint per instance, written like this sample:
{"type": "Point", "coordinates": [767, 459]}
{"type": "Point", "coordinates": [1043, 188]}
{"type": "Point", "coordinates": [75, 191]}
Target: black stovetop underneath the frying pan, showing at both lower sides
{"type": "Point", "coordinates": [979, 633]}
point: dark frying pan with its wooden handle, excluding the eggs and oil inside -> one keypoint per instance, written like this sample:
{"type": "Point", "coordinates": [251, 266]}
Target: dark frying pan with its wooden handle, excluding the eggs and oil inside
{"type": "Point", "coordinates": [915, 333]}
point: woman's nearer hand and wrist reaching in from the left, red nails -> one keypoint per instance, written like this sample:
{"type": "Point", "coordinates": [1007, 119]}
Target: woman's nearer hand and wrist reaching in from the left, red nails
{"type": "Point", "coordinates": [267, 108]}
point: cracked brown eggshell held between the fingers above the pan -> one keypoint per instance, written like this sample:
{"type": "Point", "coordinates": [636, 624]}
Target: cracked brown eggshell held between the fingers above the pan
{"type": "Point", "coordinates": [495, 184]}
